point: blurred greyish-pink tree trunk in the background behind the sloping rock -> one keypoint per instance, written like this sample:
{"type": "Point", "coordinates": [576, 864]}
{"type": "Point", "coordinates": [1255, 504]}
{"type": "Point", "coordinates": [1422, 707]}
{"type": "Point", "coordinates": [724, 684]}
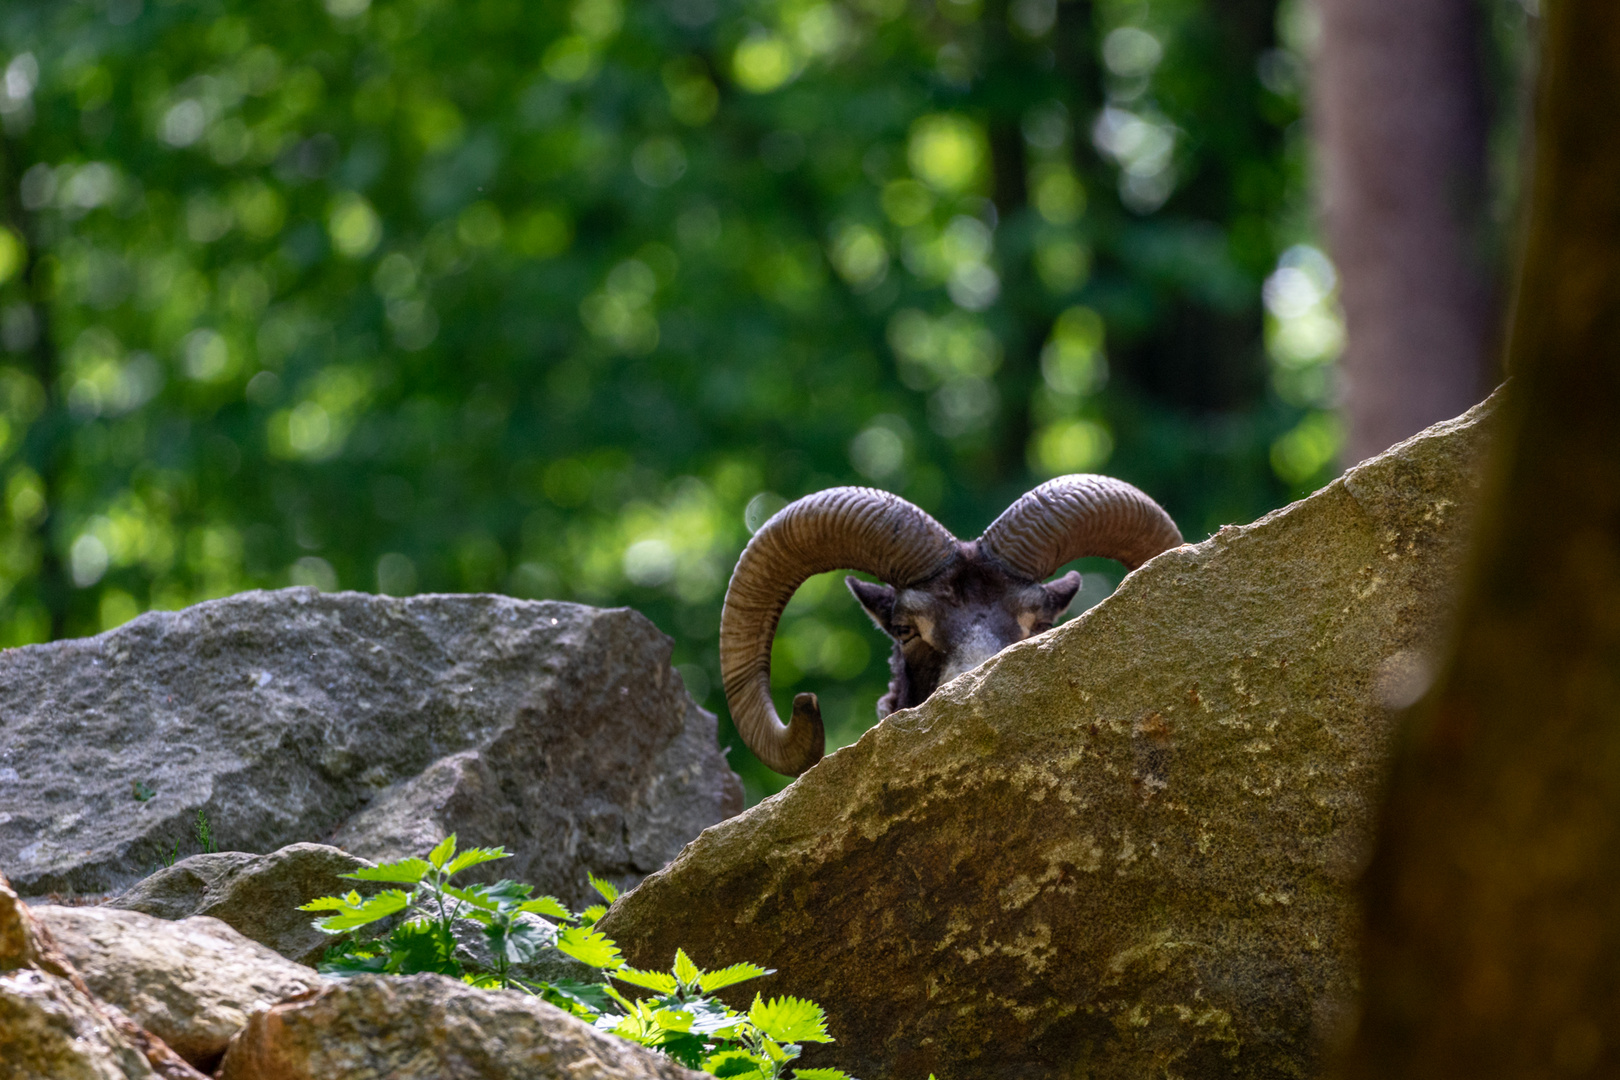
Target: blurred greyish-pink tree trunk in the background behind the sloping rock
{"type": "Point", "coordinates": [1400, 122]}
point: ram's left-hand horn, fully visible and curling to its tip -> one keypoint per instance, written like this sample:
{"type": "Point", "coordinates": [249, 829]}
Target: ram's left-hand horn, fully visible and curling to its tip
{"type": "Point", "coordinates": [842, 529]}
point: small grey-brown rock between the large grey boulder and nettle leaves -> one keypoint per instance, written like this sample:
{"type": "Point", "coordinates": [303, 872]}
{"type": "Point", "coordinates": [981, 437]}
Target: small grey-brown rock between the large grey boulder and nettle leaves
{"type": "Point", "coordinates": [257, 895]}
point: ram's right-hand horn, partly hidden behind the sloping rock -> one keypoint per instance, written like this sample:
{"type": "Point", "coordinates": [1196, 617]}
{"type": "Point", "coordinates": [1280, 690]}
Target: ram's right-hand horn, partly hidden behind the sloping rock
{"type": "Point", "coordinates": [1080, 516]}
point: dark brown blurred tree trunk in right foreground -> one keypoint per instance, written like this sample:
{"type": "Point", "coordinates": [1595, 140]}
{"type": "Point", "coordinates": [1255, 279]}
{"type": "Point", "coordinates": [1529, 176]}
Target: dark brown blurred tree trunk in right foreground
{"type": "Point", "coordinates": [1494, 896]}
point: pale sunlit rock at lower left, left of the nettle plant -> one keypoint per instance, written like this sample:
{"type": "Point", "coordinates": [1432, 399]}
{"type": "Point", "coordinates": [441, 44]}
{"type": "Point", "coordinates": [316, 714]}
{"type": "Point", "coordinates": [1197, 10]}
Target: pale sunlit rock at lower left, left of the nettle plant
{"type": "Point", "coordinates": [192, 984]}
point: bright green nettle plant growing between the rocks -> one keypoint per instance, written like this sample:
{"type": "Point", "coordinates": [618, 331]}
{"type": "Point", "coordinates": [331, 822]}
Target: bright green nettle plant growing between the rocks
{"type": "Point", "coordinates": [680, 1016]}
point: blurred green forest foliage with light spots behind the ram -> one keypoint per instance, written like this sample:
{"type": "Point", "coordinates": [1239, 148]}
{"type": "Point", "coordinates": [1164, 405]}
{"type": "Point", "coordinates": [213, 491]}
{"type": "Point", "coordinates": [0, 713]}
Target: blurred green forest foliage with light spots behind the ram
{"type": "Point", "coordinates": [561, 300]}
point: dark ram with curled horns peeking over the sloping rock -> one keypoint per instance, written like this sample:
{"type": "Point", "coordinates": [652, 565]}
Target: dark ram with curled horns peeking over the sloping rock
{"type": "Point", "coordinates": [947, 605]}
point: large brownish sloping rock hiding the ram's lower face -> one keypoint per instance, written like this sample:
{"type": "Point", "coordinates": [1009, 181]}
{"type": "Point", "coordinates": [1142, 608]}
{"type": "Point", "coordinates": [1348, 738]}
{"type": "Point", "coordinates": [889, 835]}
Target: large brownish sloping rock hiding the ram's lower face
{"type": "Point", "coordinates": [1125, 848]}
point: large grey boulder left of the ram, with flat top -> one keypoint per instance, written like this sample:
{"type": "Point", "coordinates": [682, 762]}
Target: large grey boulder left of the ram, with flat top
{"type": "Point", "coordinates": [556, 729]}
